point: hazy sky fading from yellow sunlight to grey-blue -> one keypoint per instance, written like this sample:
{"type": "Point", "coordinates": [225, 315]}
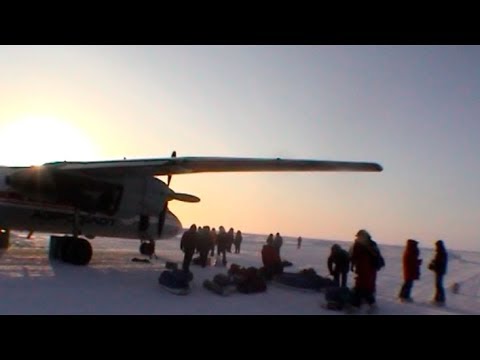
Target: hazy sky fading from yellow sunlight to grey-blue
{"type": "Point", "coordinates": [413, 109]}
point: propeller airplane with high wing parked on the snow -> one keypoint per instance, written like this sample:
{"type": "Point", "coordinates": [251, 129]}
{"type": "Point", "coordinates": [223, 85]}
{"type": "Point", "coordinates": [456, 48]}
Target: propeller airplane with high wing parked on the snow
{"type": "Point", "coordinates": [117, 199]}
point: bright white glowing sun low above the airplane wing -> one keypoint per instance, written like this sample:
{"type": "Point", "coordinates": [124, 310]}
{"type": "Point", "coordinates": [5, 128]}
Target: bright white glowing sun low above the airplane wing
{"type": "Point", "coordinates": [36, 140]}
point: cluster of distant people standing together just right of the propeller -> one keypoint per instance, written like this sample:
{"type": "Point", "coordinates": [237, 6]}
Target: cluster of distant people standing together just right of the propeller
{"type": "Point", "coordinates": [204, 240]}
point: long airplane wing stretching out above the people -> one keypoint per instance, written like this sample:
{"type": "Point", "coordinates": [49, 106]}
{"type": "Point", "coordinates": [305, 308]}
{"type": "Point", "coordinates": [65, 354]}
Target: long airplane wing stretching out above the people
{"type": "Point", "coordinates": [189, 165]}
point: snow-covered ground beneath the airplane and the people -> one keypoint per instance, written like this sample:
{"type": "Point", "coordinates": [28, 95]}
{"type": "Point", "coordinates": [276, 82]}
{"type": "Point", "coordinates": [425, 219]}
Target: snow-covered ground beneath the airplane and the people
{"type": "Point", "coordinates": [113, 284]}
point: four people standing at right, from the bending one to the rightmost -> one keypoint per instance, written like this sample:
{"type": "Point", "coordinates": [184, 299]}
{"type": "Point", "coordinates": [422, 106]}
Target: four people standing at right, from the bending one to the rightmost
{"type": "Point", "coordinates": [365, 259]}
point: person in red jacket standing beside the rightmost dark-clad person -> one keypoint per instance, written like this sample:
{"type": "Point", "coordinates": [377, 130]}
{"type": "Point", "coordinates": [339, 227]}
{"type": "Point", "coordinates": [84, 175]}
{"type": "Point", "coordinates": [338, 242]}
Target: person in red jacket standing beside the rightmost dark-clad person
{"type": "Point", "coordinates": [411, 269]}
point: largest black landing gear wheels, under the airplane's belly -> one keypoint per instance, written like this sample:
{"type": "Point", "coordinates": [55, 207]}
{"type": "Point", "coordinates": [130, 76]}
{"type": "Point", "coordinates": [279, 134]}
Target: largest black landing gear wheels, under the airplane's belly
{"type": "Point", "coordinates": [70, 249]}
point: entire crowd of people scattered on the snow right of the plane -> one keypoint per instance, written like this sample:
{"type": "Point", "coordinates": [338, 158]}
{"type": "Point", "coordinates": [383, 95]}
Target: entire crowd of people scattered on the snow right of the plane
{"type": "Point", "coordinates": [364, 259]}
